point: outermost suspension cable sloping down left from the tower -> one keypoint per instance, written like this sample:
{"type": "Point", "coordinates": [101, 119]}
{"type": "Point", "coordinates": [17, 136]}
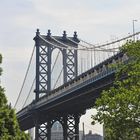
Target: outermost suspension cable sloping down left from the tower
{"type": "Point", "coordinates": [25, 77]}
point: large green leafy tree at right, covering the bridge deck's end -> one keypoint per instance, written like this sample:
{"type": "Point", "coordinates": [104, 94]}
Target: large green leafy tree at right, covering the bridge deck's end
{"type": "Point", "coordinates": [119, 107]}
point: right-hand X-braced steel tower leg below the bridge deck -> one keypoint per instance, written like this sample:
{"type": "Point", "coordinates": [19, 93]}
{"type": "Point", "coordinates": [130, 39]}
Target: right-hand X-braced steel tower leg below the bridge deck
{"type": "Point", "coordinates": [71, 127]}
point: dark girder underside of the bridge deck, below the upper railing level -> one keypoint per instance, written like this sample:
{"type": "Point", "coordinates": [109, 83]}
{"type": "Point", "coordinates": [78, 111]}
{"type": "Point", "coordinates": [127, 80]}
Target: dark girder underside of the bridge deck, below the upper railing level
{"type": "Point", "coordinates": [76, 102]}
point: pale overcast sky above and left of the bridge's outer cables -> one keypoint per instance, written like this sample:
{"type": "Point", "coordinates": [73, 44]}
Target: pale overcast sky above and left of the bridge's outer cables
{"type": "Point", "coordinates": [95, 21]}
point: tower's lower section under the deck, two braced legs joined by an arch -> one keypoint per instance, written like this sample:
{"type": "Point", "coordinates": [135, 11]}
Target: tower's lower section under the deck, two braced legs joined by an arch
{"type": "Point", "coordinates": [70, 124]}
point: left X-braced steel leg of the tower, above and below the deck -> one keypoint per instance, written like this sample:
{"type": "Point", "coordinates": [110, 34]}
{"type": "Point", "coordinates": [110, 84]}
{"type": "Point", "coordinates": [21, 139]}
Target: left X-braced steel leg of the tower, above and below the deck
{"type": "Point", "coordinates": [43, 82]}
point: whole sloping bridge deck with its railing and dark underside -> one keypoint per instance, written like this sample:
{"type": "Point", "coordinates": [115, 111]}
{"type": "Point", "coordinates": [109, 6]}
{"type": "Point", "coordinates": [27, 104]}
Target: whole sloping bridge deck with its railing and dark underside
{"type": "Point", "coordinates": [75, 95]}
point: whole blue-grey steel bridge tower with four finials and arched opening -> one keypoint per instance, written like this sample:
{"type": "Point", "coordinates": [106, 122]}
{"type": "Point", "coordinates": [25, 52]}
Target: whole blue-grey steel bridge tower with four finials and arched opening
{"type": "Point", "coordinates": [44, 48]}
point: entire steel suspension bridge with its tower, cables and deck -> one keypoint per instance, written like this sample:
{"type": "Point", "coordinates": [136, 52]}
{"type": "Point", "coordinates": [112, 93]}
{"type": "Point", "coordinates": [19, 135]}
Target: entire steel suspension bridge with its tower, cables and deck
{"type": "Point", "coordinates": [64, 77]}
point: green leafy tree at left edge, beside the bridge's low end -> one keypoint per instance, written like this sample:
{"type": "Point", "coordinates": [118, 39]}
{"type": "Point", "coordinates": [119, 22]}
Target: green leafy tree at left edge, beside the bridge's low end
{"type": "Point", "coordinates": [9, 127]}
